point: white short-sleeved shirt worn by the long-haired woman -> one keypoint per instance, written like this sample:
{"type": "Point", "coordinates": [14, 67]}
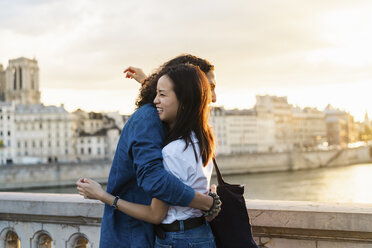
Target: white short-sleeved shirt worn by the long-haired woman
{"type": "Point", "coordinates": [182, 164]}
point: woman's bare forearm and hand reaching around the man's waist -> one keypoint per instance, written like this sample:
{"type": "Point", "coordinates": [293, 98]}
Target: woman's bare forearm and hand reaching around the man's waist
{"type": "Point", "coordinates": [154, 213]}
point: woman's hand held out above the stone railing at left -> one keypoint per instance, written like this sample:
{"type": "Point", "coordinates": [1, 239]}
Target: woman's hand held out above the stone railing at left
{"type": "Point", "coordinates": [90, 189]}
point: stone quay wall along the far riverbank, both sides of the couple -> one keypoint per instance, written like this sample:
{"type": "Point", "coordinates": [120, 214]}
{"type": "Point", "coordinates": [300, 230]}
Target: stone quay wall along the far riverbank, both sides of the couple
{"type": "Point", "coordinates": [47, 175]}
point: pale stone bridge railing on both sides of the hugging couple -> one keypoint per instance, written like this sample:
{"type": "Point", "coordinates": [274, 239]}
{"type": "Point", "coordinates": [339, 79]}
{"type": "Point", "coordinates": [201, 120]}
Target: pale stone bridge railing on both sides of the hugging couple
{"type": "Point", "coordinates": [61, 220]}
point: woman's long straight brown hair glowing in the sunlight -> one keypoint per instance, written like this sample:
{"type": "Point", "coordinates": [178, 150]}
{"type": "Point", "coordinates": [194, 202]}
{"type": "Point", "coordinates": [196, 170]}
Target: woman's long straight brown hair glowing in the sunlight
{"type": "Point", "coordinates": [193, 92]}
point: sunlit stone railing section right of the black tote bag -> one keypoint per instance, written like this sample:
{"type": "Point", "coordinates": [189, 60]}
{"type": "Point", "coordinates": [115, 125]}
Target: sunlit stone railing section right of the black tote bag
{"type": "Point", "coordinates": [290, 220]}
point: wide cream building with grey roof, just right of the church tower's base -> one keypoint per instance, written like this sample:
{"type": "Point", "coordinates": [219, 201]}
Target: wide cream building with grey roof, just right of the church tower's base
{"type": "Point", "coordinates": [44, 134]}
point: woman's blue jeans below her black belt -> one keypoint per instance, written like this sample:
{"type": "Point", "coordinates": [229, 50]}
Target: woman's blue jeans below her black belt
{"type": "Point", "coordinates": [199, 237]}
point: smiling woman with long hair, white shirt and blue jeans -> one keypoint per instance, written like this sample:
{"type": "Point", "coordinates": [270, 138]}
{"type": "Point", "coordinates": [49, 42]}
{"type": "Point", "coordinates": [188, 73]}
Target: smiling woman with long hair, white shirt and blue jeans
{"type": "Point", "coordinates": [182, 98]}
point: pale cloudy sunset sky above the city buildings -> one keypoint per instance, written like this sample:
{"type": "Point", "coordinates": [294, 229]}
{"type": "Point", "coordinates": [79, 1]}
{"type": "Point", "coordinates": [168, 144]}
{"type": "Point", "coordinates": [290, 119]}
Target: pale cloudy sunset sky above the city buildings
{"type": "Point", "coordinates": [315, 52]}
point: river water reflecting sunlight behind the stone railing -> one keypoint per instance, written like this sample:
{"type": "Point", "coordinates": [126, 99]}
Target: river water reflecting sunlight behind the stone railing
{"type": "Point", "coordinates": [342, 184]}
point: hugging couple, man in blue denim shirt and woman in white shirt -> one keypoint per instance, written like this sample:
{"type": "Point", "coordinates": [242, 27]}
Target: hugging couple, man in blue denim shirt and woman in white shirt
{"type": "Point", "coordinates": [157, 191]}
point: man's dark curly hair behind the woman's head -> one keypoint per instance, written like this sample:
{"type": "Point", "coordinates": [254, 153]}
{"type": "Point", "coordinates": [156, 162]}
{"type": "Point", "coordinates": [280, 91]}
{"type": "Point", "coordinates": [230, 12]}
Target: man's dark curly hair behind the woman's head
{"type": "Point", "coordinates": [148, 91]}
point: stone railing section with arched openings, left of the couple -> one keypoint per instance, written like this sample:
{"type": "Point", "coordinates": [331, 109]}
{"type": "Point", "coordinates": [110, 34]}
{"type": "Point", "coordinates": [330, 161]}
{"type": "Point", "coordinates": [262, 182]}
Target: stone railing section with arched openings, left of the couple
{"type": "Point", "coordinates": [49, 220]}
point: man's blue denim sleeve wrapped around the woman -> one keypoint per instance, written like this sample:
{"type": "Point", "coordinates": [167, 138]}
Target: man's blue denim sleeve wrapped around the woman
{"type": "Point", "coordinates": [146, 141]}
